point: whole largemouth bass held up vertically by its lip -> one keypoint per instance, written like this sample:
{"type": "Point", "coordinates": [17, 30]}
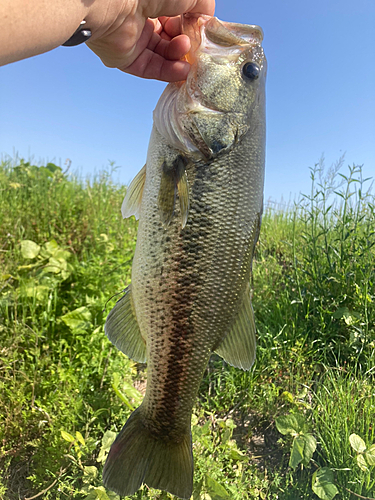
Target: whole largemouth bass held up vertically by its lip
{"type": "Point", "coordinates": [199, 201]}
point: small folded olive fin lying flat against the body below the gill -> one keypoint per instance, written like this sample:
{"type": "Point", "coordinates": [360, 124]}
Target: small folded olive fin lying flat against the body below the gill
{"type": "Point", "coordinates": [173, 181]}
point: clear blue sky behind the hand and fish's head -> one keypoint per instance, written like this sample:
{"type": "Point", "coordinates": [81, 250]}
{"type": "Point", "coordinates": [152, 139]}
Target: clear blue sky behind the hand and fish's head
{"type": "Point", "coordinates": [320, 97]}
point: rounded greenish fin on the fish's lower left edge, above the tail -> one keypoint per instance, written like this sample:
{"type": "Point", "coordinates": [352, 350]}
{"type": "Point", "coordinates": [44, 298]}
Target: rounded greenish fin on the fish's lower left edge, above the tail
{"type": "Point", "coordinates": [123, 331]}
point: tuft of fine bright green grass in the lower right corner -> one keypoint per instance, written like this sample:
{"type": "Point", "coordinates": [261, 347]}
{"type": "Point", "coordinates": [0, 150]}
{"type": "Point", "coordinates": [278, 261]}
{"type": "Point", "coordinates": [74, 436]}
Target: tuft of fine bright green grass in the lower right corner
{"type": "Point", "coordinates": [344, 405]}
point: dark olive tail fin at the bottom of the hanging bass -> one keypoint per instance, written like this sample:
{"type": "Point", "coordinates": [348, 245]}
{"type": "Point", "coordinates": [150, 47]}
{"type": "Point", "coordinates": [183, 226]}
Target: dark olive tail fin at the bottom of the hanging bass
{"type": "Point", "coordinates": [137, 457]}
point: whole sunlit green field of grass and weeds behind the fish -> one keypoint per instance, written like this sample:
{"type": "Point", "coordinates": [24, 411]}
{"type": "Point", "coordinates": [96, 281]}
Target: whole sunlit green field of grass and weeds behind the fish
{"type": "Point", "coordinates": [65, 391]}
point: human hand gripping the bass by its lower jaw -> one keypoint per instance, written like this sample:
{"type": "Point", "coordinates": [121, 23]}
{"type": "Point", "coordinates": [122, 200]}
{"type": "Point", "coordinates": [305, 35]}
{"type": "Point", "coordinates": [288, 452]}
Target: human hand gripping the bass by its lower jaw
{"type": "Point", "coordinates": [145, 37]}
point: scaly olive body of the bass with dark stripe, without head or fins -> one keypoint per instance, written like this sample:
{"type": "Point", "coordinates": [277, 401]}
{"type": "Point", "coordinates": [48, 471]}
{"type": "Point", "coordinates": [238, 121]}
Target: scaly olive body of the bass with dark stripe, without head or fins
{"type": "Point", "coordinates": [188, 283]}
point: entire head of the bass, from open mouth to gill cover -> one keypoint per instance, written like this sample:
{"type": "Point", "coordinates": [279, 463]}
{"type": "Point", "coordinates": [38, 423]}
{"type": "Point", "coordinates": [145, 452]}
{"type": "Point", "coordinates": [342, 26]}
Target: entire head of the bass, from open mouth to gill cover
{"type": "Point", "coordinates": [224, 94]}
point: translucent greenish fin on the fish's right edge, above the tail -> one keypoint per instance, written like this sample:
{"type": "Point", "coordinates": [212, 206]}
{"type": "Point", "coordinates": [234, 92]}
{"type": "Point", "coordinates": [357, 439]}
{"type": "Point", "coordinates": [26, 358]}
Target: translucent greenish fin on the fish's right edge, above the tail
{"type": "Point", "coordinates": [239, 346]}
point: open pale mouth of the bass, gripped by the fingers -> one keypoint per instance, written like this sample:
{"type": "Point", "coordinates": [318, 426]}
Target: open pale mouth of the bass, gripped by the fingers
{"type": "Point", "coordinates": [230, 37]}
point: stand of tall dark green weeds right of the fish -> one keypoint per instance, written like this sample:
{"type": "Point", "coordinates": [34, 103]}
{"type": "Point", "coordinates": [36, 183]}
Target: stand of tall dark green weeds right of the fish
{"type": "Point", "coordinates": [316, 275]}
